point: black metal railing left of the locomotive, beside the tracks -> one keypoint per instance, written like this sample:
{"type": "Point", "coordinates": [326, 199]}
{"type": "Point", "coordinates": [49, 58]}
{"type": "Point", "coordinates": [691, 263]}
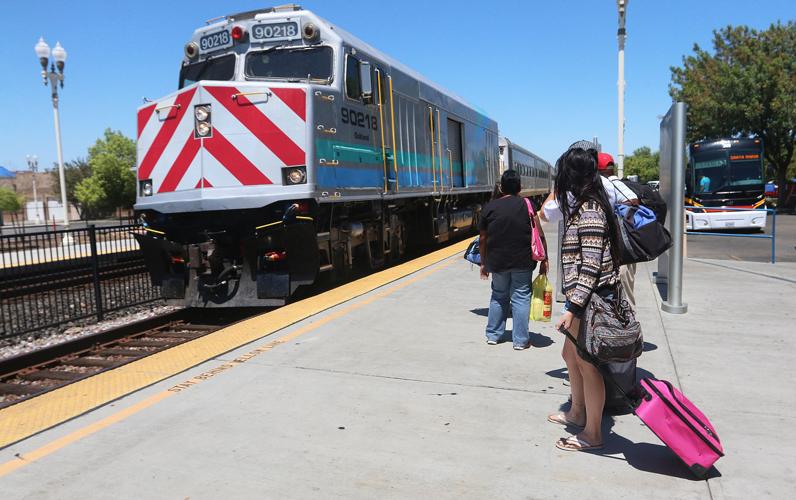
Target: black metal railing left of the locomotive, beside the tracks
{"type": "Point", "coordinates": [51, 278]}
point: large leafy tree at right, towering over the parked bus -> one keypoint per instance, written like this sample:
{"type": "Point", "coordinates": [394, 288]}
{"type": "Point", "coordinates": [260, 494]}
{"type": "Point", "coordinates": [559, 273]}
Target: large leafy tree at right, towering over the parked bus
{"type": "Point", "coordinates": [747, 87]}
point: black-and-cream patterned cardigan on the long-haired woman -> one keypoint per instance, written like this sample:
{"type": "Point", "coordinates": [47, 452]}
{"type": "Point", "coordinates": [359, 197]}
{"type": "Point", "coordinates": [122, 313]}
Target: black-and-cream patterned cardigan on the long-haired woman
{"type": "Point", "coordinates": [586, 256]}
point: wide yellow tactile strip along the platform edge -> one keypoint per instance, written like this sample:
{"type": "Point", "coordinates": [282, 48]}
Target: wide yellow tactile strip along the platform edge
{"type": "Point", "coordinates": [29, 417]}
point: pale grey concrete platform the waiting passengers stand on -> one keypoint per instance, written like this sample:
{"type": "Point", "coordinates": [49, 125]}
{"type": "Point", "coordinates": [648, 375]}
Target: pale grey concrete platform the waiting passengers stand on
{"type": "Point", "coordinates": [395, 394]}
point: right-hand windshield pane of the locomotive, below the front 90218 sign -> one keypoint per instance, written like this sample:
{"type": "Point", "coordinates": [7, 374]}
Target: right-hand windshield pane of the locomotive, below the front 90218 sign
{"type": "Point", "coordinates": [291, 64]}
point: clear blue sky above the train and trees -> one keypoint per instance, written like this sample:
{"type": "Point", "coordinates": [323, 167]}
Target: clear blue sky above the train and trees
{"type": "Point", "coordinates": [546, 71]}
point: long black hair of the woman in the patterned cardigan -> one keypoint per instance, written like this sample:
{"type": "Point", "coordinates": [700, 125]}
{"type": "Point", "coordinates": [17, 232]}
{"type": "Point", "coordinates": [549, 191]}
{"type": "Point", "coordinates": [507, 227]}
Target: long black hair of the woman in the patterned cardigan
{"type": "Point", "coordinates": [576, 173]}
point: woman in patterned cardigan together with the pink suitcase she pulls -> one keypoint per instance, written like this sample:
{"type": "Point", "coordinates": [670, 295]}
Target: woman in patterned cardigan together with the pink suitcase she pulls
{"type": "Point", "coordinates": [602, 327]}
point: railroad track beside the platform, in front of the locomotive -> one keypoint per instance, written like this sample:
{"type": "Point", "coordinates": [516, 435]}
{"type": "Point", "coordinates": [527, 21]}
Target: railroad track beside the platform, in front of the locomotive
{"type": "Point", "coordinates": [32, 374]}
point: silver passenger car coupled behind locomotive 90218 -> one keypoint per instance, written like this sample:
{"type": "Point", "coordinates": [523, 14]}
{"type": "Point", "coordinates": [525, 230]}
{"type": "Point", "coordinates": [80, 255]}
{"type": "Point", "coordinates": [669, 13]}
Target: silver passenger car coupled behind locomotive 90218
{"type": "Point", "coordinates": [536, 175]}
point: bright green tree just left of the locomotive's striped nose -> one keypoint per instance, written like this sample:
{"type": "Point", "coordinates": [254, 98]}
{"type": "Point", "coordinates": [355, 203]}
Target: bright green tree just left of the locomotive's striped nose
{"type": "Point", "coordinates": [112, 181]}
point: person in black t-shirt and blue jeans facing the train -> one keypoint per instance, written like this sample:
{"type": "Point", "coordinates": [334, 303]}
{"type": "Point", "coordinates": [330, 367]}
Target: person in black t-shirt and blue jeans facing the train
{"type": "Point", "coordinates": [505, 247]}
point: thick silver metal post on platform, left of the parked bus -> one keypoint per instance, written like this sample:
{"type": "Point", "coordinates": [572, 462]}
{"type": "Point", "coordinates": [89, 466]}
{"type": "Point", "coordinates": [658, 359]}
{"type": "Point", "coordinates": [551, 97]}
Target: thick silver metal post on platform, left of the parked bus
{"type": "Point", "coordinates": [674, 296]}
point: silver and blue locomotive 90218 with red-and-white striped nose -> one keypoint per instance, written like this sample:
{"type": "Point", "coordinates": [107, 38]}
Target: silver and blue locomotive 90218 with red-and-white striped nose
{"type": "Point", "coordinates": [291, 149]}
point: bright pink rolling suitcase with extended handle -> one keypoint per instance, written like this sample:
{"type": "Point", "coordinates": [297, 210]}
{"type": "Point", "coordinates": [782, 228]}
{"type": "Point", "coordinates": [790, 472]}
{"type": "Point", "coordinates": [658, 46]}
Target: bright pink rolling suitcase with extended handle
{"type": "Point", "coordinates": [673, 418]}
